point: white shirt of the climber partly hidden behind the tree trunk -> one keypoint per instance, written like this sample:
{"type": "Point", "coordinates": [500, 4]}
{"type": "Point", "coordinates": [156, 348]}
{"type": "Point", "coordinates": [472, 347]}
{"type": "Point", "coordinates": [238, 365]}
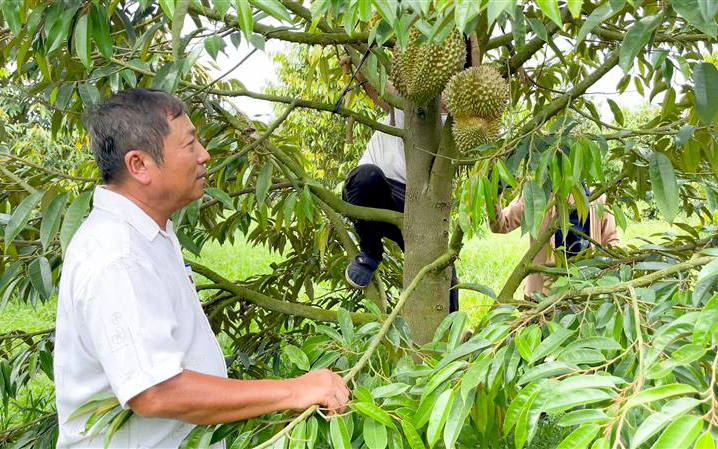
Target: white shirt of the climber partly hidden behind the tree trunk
{"type": "Point", "coordinates": [387, 151]}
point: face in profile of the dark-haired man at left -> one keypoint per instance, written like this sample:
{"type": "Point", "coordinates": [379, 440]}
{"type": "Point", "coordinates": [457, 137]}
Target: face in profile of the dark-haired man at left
{"type": "Point", "coordinates": [181, 177]}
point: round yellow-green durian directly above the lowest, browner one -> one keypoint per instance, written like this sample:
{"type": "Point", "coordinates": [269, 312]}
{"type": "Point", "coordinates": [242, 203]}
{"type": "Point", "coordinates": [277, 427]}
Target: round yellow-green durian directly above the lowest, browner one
{"type": "Point", "coordinates": [478, 92]}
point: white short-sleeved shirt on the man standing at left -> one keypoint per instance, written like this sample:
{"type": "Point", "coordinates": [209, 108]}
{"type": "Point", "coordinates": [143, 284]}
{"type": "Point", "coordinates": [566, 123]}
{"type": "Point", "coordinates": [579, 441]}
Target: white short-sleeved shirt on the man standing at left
{"type": "Point", "coordinates": [128, 318]}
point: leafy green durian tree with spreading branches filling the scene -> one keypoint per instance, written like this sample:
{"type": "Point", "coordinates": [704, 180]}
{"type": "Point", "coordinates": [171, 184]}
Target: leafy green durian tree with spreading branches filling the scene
{"type": "Point", "coordinates": [620, 353]}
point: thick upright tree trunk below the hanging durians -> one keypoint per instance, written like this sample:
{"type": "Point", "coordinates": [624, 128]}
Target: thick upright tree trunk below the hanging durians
{"type": "Point", "coordinates": [426, 218]}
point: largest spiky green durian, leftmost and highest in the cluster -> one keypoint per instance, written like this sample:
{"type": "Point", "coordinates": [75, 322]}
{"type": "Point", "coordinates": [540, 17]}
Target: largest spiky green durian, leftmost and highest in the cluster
{"type": "Point", "coordinates": [422, 70]}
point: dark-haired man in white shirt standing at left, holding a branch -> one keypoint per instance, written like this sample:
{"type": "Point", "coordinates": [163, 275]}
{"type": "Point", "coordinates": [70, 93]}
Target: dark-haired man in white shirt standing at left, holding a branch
{"type": "Point", "coordinates": [129, 321]}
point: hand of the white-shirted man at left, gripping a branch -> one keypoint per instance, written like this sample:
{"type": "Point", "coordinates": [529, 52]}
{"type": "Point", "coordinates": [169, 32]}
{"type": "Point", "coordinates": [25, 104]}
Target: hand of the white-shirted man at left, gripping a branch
{"type": "Point", "coordinates": [321, 387]}
